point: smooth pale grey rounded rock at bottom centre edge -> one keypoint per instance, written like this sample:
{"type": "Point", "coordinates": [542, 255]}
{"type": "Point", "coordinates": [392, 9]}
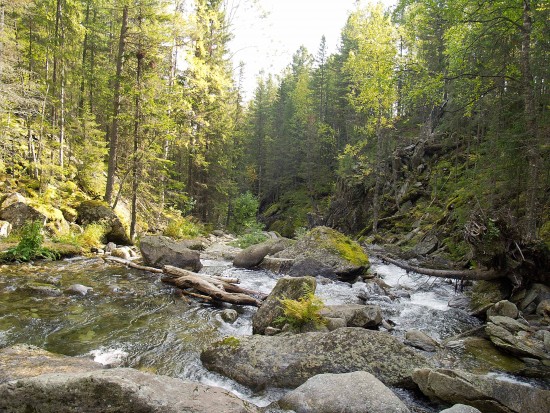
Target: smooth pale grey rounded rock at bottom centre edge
{"type": "Point", "coordinates": [357, 392]}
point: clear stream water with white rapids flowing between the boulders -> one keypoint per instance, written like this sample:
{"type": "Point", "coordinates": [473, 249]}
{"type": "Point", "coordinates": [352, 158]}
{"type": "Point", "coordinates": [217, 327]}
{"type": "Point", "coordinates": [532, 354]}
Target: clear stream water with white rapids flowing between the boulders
{"type": "Point", "coordinates": [133, 319]}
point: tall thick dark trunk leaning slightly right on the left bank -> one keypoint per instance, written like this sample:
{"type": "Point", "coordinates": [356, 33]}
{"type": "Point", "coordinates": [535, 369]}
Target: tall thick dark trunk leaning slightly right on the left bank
{"type": "Point", "coordinates": [113, 139]}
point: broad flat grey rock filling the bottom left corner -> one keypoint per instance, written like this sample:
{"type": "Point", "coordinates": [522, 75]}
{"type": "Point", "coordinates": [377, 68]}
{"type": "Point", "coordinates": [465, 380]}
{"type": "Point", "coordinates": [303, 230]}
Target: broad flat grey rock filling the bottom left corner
{"type": "Point", "coordinates": [116, 390]}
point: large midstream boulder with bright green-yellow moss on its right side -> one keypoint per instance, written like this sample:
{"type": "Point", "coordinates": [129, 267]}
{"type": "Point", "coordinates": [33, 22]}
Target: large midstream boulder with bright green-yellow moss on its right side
{"type": "Point", "coordinates": [331, 249]}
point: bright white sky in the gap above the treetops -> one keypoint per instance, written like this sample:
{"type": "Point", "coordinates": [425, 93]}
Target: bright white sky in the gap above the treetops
{"type": "Point", "coordinates": [268, 32]}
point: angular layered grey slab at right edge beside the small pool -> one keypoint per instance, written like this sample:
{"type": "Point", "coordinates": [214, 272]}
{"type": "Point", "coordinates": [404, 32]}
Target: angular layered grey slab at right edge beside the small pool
{"type": "Point", "coordinates": [516, 338]}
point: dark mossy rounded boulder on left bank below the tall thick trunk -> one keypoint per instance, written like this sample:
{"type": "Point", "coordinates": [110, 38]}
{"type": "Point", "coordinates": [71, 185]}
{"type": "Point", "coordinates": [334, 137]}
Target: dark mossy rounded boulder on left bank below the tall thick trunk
{"type": "Point", "coordinates": [98, 212]}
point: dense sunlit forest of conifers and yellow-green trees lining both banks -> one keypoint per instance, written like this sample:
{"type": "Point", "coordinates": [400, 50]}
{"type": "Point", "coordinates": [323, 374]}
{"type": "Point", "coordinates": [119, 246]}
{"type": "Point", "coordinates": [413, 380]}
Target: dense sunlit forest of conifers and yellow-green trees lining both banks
{"type": "Point", "coordinates": [429, 126]}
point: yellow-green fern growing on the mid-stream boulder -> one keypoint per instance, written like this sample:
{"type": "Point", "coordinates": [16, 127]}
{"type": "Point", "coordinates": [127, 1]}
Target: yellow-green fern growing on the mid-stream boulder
{"type": "Point", "coordinates": [304, 311]}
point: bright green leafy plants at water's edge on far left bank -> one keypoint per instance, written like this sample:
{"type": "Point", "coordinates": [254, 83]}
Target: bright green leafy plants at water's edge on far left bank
{"type": "Point", "coordinates": [30, 245]}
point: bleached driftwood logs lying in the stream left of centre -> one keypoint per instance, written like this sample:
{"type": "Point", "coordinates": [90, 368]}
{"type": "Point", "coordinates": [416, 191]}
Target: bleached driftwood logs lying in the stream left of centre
{"type": "Point", "coordinates": [205, 287]}
